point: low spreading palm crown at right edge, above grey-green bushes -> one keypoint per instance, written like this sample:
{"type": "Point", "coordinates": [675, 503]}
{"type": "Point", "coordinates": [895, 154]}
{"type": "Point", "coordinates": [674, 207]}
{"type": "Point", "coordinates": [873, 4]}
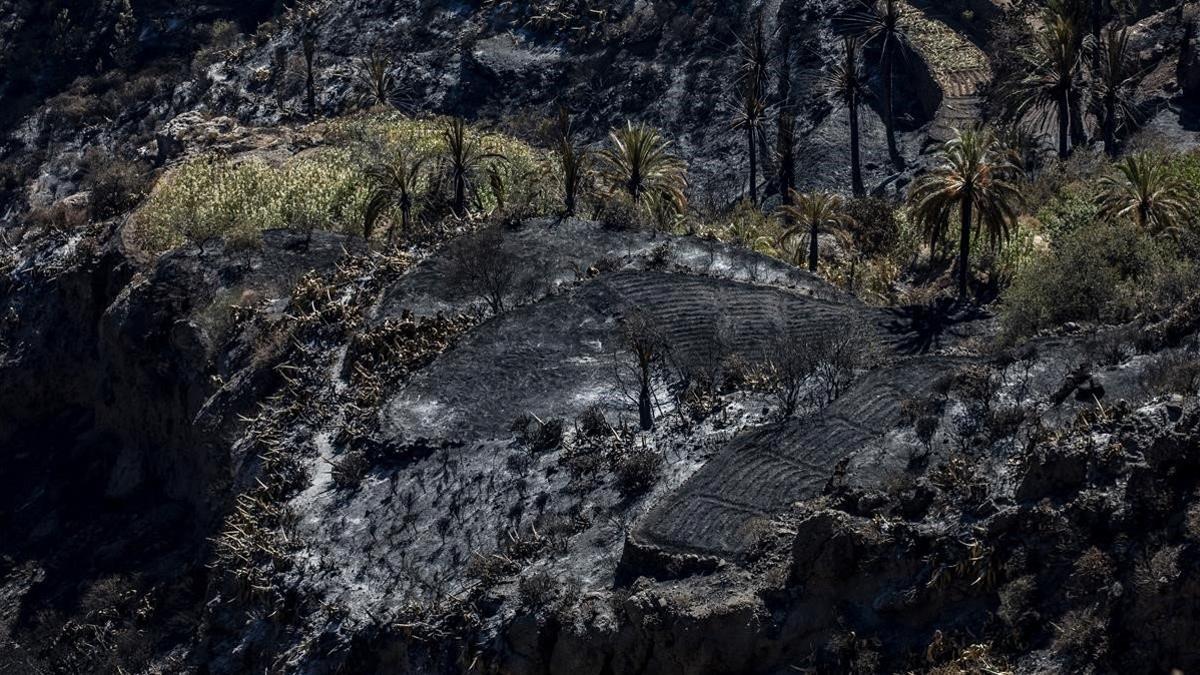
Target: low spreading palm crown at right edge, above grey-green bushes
{"type": "Point", "coordinates": [1145, 188]}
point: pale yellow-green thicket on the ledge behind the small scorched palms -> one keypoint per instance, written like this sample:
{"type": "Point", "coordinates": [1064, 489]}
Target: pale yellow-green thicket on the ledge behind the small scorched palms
{"type": "Point", "coordinates": [213, 198]}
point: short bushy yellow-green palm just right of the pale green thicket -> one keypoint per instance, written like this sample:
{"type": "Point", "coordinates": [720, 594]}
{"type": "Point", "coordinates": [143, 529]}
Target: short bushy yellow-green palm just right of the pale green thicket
{"type": "Point", "coordinates": [639, 162]}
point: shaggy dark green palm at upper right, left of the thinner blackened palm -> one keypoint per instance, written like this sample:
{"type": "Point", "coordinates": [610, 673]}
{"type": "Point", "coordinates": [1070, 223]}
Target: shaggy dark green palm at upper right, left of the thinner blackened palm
{"type": "Point", "coordinates": [1054, 68]}
